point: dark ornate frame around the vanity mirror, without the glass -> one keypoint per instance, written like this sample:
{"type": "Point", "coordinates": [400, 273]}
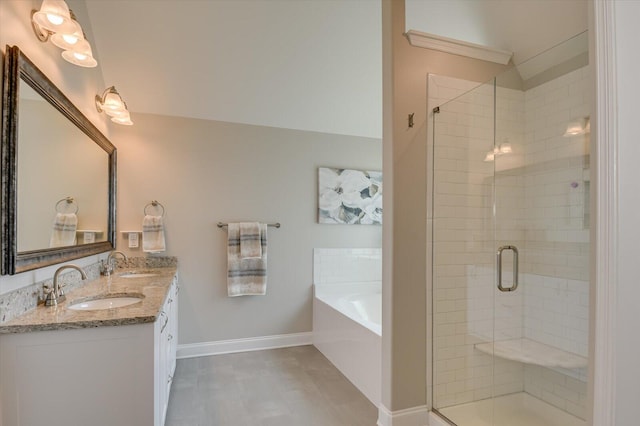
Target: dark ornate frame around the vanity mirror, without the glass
{"type": "Point", "coordinates": [18, 67]}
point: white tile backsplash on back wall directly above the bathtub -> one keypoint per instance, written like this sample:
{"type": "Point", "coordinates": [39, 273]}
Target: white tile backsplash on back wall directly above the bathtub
{"type": "Point", "coordinates": [347, 265]}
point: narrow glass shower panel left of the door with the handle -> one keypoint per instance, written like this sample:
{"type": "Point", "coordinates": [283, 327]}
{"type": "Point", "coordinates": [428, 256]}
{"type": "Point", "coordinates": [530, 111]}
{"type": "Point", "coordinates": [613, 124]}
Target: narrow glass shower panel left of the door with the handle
{"type": "Point", "coordinates": [463, 247]}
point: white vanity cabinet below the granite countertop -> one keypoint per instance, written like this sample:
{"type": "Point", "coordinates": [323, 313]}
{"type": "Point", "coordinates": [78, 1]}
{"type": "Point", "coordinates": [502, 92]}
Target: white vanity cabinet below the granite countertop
{"type": "Point", "coordinates": [102, 376]}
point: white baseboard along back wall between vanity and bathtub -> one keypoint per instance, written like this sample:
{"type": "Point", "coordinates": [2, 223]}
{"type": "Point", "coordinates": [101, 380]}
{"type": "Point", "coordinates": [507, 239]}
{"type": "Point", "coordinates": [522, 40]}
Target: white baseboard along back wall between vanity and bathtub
{"type": "Point", "coordinates": [192, 350]}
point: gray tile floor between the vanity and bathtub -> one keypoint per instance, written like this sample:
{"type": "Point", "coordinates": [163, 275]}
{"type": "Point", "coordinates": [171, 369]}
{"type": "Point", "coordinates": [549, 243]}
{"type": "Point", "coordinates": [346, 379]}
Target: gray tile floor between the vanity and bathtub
{"type": "Point", "coordinates": [286, 387]}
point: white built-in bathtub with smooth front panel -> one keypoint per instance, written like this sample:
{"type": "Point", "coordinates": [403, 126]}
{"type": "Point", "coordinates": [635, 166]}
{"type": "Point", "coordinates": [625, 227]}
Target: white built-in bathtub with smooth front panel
{"type": "Point", "coordinates": [347, 330]}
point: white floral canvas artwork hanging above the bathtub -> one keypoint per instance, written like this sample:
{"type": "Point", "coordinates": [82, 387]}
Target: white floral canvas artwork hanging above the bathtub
{"type": "Point", "coordinates": [349, 196]}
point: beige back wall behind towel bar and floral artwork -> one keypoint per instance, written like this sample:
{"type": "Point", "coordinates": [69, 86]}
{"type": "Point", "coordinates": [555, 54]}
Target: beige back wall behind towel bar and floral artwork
{"type": "Point", "coordinates": [204, 172]}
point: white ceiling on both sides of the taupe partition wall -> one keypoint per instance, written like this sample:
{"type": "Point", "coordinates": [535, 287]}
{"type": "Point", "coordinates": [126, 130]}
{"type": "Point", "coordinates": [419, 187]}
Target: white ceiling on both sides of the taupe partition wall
{"type": "Point", "coordinates": [301, 64]}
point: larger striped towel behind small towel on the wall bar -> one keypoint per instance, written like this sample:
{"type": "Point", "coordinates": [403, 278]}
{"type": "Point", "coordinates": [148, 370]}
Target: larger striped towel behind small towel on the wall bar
{"type": "Point", "coordinates": [245, 276]}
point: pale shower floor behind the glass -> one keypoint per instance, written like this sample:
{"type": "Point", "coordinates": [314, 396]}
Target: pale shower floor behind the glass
{"type": "Point", "coordinates": [519, 409]}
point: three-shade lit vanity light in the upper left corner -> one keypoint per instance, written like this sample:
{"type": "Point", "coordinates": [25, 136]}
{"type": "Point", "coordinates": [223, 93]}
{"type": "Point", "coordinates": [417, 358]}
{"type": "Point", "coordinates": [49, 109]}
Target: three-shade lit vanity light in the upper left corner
{"type": "Point", "coordinates": [55, 21]}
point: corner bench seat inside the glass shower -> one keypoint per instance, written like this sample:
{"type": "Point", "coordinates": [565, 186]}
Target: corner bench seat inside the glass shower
{"type": "Point", "coordinates": [532, 352]}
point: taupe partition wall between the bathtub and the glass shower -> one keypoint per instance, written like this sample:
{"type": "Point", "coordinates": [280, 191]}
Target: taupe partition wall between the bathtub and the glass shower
{"type": "Point", "coordinates": [405, 157]}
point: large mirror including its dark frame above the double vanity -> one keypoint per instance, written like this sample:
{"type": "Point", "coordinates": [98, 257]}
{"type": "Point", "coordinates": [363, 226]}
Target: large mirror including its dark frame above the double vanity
{"type": "Point", "coordinates": [58, 174]}
